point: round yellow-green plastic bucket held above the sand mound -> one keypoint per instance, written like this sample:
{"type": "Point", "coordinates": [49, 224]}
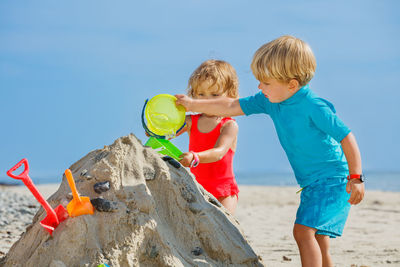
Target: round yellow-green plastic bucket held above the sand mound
{"type": "Point", "coordinates": [164, 118]}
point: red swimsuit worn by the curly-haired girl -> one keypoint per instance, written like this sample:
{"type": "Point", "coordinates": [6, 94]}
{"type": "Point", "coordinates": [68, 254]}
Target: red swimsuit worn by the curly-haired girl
{"type": "Point", "coordinates": [216, 177]}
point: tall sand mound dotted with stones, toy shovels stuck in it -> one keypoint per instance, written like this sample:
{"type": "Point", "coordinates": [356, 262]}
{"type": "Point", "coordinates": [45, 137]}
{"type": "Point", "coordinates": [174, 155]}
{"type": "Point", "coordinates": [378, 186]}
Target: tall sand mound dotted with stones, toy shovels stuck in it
{"type": "Point", "coordinates": [149, 213]}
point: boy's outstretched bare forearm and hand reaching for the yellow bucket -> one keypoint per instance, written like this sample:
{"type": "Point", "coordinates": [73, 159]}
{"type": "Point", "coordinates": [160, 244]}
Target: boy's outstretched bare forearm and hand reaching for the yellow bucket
{"type": "Point", "coordinates": [224, 106]}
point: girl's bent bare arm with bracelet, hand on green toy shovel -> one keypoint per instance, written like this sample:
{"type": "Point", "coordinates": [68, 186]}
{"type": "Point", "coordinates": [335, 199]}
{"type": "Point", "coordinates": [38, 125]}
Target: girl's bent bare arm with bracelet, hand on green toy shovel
{"type": "Point", "coordinates": [225, 141]}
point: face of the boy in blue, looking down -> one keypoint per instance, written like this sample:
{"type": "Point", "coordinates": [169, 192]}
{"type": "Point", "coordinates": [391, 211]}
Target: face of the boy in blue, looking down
{"type": "Point", "coordinates": [277, 91]}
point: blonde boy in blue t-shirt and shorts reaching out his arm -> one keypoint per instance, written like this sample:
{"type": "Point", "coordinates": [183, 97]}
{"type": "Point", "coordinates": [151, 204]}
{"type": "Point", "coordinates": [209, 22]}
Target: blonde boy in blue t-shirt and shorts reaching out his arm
{"type": "Point", "coordinates": [322, 151]}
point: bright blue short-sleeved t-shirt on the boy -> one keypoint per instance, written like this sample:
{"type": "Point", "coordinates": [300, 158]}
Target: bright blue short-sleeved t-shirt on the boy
{"type": "Point", "coordinates": [309, 132]}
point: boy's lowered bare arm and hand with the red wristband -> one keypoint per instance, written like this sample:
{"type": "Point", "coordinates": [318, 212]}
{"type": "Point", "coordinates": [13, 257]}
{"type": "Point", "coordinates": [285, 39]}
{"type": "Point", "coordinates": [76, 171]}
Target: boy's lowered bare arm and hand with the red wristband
{"type": "Point", "coordinates": [352, 153]}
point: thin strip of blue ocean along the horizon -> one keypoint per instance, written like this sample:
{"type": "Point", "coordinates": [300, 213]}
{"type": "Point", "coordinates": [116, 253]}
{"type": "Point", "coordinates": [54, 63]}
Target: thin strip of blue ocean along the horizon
{"type": "Point", "coordinates": [374, 180]}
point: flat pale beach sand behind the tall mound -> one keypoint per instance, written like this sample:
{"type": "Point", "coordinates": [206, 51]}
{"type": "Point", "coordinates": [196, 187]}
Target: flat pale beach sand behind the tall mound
{"type": "Point", "coordinates": [266, 214]}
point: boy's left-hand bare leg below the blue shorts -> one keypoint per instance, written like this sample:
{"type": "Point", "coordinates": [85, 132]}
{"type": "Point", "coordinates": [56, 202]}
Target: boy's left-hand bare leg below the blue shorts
{"type": "Point", "coordinates": [310, 252]}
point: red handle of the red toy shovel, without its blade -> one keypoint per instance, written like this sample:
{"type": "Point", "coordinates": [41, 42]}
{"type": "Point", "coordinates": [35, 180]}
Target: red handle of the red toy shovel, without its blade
{"type": "Point", "coordinates": [28, 182]}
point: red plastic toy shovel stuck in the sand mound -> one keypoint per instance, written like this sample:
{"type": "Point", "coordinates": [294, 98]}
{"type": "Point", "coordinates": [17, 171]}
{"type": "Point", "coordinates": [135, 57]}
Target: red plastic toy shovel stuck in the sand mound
{"type": "Point", "coordinates": [54, 217]}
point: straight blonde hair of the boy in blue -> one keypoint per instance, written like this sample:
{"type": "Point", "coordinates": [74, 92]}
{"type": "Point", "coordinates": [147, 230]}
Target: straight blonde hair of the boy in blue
{"type": "Point", "coordinates": [284, 59]}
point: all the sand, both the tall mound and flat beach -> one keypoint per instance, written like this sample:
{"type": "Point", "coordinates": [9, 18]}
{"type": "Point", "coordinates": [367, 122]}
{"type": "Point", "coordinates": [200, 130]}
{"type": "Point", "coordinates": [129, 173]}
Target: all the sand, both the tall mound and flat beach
{"type": "Point", "coordinates": [165, 218]}
